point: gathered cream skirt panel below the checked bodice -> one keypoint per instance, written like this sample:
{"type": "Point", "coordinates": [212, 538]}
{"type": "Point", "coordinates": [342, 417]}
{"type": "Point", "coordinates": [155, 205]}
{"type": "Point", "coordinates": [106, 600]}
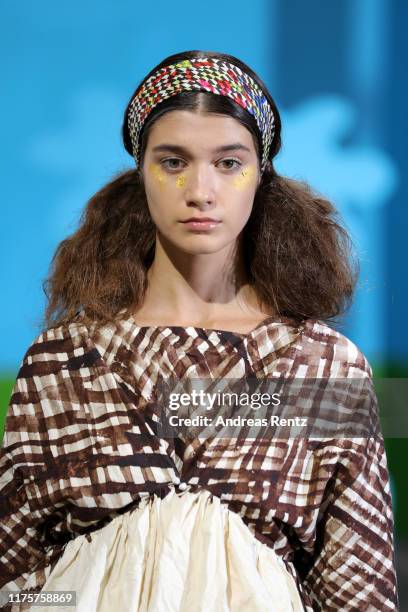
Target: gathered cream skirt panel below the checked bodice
{"type": "Point", "coordinates": [186, 552]}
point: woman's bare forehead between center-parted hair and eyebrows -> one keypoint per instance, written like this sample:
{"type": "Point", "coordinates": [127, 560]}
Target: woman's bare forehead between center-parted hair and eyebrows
{"type": "Point", "coordinates": [188, 128]}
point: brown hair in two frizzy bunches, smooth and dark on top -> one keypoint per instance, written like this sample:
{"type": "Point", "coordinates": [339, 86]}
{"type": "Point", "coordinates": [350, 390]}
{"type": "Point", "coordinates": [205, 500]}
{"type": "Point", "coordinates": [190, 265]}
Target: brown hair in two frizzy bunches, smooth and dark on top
{"type": "Point", "coordinates": [297, 254]}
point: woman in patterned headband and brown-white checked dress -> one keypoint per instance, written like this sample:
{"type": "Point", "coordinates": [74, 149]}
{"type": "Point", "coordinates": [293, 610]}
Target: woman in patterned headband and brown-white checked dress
{"type": "Point", "coordinates": [201, 263]}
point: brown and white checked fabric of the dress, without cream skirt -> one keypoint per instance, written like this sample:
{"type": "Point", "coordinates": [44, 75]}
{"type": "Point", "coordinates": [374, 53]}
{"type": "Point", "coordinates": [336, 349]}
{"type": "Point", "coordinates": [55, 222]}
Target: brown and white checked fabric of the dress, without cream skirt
{"type": "Point", "coordinates": [80, 448]}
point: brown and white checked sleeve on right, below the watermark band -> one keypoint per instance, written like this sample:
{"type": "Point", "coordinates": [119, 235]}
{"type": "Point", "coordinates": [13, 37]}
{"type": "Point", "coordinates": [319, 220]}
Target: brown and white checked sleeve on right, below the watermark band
{"type": "Point", "coordinates": [353, 566]}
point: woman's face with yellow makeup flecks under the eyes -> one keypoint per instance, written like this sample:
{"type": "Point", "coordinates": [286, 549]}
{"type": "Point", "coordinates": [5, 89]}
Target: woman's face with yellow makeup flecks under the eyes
{"type": "Point", "coordinates": [200, 166]}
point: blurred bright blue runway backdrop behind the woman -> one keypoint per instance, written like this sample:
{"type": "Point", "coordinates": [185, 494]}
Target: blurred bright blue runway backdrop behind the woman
{"type": "Point", "coordinates": [336, 72]}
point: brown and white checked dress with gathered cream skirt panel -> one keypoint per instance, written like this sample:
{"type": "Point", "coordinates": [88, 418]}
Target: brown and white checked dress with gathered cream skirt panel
{"type": "Point", "coordinates": [82, 472]}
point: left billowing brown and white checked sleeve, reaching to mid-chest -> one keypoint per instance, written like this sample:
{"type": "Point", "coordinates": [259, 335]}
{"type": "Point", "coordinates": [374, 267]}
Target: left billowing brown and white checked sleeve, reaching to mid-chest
{"type": "Point", "coordinates": [78, 449]}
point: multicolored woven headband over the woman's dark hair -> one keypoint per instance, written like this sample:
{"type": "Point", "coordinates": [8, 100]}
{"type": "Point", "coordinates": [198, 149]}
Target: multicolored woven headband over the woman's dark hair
{"type": "Point", "coordinates": [204, 74]}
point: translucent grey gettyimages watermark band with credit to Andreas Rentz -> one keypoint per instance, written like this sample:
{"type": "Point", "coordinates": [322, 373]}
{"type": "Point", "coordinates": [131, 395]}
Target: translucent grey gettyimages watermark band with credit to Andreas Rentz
{"type": "Point", "coordinates": [272, 408]}
